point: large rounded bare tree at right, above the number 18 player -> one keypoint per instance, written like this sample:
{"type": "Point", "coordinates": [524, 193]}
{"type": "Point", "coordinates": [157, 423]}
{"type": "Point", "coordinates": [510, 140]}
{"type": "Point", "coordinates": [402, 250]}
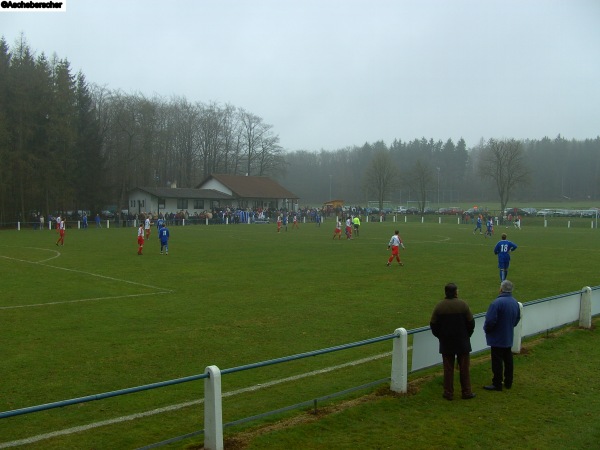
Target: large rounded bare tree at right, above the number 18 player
{"type": "Point", "coordinates": [503, 161]}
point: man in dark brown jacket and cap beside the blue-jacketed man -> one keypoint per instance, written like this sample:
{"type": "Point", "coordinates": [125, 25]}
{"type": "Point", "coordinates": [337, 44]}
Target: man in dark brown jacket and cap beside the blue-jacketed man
{"type": "Point", "coordinates": [453, 324]}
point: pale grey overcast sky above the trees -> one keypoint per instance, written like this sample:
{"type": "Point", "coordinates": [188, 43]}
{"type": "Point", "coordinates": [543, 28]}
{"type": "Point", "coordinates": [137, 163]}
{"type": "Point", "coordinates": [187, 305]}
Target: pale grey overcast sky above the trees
{"type": "Point", "coordinates": [327, 74]}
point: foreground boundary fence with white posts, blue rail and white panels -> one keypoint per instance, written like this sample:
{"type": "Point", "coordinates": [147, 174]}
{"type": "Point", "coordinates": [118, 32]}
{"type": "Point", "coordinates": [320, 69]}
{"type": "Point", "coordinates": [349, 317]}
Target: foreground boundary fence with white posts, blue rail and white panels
{"type": "Point", "coordinates": [536, 317]}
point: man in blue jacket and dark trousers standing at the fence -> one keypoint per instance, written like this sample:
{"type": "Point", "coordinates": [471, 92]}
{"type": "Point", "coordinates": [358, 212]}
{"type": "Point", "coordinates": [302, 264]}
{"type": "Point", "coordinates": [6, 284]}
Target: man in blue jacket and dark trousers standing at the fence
{"type": "Point", "coordinates": [501, 318]}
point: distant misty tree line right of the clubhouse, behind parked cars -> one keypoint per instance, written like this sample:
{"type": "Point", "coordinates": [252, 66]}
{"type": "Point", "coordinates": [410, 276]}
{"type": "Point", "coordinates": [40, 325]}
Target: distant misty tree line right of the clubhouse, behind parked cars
{"type": "Point", "coordinates": [425, 172]}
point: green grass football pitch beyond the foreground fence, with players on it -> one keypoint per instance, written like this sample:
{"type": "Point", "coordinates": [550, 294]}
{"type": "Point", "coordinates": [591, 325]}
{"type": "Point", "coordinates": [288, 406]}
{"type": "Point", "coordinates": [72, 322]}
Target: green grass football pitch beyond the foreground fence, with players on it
{"type": "Point", "coordinates": [93, 317]}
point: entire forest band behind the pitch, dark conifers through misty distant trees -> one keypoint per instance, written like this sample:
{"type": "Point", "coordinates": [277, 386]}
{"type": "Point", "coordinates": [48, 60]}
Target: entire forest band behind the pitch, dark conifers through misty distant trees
{"type": "Point", "coordinates": [67, 144]}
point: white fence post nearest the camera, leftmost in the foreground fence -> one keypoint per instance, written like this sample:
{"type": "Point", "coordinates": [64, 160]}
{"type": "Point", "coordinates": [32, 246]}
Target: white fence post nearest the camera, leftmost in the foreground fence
{"type": "Point", "coordinates": [213, 410]}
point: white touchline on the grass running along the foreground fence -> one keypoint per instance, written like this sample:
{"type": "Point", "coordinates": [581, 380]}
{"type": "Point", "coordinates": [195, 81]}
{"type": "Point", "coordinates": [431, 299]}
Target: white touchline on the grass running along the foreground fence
{"type": "Point", "coordinates": [68, 431]}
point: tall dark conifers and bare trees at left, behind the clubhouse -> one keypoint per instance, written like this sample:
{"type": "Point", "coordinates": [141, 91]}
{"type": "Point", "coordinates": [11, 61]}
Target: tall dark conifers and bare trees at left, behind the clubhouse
{"type": "Point", "coordinates": [67, 145]}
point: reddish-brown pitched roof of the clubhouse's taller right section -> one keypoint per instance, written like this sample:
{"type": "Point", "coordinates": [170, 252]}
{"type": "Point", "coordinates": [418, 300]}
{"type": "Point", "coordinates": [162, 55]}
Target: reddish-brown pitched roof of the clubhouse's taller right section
{"type": "Point", "coordinates": [251, 187]}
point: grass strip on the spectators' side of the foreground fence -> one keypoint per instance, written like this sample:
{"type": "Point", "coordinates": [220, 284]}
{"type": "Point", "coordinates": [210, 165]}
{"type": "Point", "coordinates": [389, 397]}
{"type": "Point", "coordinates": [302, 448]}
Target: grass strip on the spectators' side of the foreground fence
{"type": "Point", "coordinates": [554, 404]}
